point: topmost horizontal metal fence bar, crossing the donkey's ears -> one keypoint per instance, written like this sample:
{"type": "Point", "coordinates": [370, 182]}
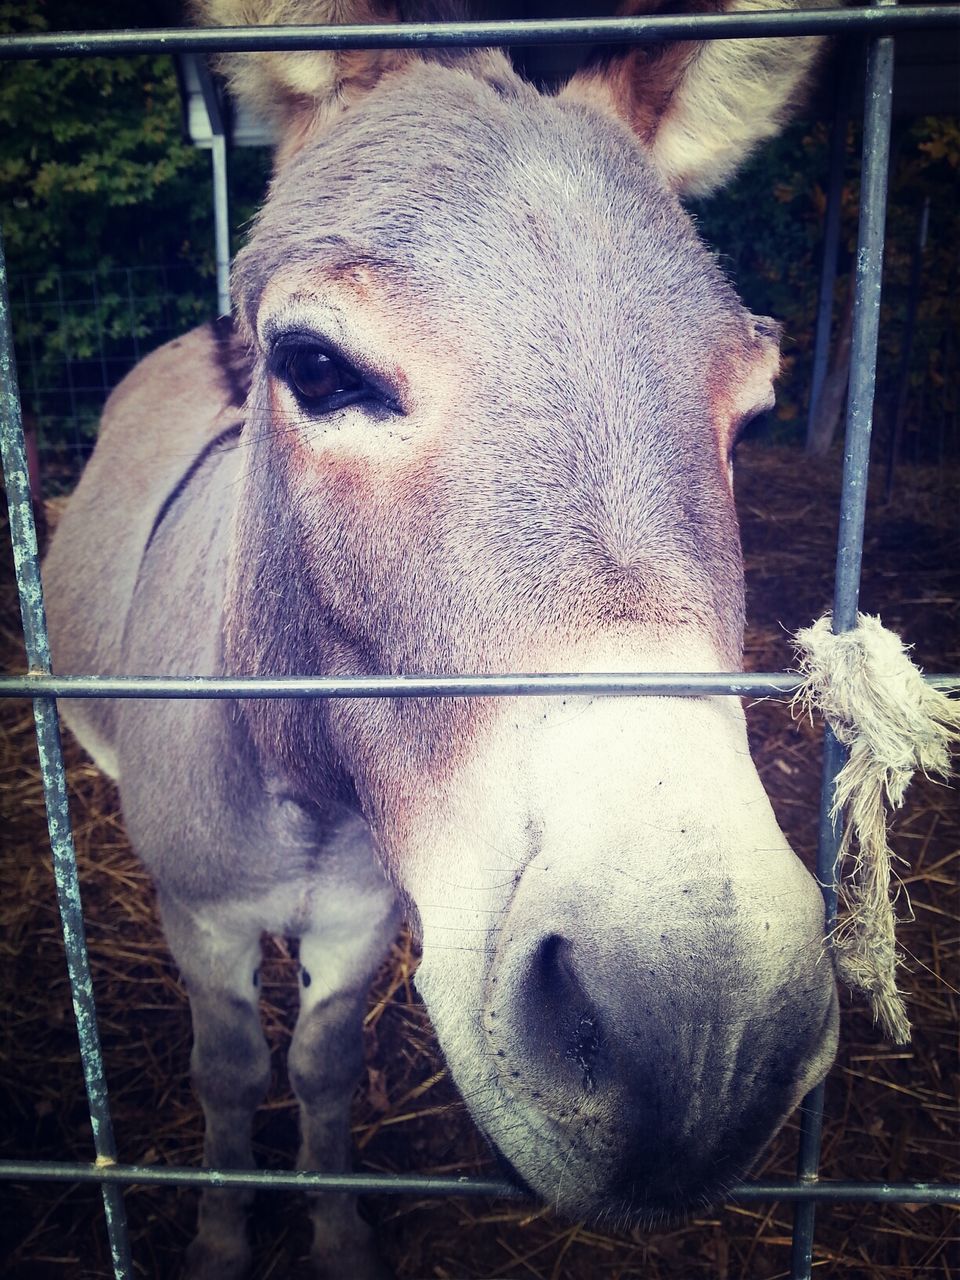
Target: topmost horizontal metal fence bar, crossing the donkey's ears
{"type": "Point", "coordinates": [437, 35]}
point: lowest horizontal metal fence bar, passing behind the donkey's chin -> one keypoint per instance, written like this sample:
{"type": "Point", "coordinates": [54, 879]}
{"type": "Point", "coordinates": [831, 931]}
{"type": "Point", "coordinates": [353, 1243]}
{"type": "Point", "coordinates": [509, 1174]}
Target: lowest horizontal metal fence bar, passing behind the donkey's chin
{"type": "Point", "coordinates": [426, 1185]}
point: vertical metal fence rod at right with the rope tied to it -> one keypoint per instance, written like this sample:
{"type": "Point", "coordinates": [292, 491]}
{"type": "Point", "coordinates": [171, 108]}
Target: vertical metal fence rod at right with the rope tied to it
{"type": "Point", "coordinates": [853, 509]}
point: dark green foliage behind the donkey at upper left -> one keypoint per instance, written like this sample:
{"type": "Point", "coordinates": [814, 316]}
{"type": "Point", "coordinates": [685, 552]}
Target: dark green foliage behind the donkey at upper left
{"type": "Point", "coordinates": [98, 179]}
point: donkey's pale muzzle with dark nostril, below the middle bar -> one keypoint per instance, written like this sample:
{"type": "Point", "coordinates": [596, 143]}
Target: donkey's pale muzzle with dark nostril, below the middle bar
{"type": "Point", "coordinates": [633, 1012]}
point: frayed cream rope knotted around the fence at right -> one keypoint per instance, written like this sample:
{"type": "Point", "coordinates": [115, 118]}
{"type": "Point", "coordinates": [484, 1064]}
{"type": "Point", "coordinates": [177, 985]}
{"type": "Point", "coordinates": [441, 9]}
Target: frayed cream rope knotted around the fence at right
{"type": "Point", "coordinates": [893, 724]}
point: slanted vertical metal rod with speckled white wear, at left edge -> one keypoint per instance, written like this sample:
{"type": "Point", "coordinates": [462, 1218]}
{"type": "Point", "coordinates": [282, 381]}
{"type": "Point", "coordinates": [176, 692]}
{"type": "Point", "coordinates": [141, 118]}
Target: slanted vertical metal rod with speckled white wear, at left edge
{"type": "Point", "coordinates": [28, 565]}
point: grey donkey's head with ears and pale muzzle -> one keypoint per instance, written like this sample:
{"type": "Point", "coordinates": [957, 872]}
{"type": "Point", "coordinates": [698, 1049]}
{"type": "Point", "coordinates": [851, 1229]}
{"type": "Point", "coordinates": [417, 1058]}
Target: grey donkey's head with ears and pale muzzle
{"type": "Point", "coordinates": [499, 383]}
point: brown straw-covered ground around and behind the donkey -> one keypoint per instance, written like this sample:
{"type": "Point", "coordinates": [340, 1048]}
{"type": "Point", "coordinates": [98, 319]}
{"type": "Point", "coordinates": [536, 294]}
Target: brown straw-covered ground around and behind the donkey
{"type": "Point", "coordinates": [892, 1113]}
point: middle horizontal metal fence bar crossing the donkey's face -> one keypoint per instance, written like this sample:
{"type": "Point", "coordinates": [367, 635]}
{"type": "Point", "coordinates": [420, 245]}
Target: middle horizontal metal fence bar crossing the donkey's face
{"type": "Point", "coordinates": [524, 685]}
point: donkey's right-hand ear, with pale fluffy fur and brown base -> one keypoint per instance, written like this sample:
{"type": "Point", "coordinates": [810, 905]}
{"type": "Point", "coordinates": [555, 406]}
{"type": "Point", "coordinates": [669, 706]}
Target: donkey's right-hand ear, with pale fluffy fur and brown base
{"type": "Point", "coordinates": [701, 107]}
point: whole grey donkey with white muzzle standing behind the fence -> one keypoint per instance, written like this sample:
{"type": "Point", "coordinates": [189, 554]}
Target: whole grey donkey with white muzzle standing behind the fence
{"type": "Point", "coordinates": [478, 415]}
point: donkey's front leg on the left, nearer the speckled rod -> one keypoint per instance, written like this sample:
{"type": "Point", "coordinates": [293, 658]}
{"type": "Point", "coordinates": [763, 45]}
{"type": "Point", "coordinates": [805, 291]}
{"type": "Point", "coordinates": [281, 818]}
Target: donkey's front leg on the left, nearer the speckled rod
{"type": "Point", "coordinates": [231, 1071]}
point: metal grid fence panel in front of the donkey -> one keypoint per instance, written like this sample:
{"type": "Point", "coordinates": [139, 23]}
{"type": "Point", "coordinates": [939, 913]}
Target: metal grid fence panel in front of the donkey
{"type": "Point", "coordinates": [880, 24]}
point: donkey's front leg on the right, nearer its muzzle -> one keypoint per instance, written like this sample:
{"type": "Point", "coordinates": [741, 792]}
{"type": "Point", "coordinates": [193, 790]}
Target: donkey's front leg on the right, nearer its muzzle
{"type": "Point", "coordinates": [326, 1060]}
